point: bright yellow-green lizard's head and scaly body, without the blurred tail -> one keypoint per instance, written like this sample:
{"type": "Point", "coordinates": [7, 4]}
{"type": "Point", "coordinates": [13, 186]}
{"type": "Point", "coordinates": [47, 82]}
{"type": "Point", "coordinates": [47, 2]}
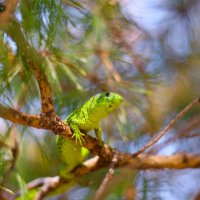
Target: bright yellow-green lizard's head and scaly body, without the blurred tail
{"type": "Point", "coordinates": [81, 121]}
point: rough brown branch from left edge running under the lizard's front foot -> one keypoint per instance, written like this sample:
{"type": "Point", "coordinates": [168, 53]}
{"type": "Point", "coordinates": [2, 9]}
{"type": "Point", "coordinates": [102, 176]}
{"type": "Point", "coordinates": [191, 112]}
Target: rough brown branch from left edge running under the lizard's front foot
{"type": "Point", "coordinates": [52, 122]}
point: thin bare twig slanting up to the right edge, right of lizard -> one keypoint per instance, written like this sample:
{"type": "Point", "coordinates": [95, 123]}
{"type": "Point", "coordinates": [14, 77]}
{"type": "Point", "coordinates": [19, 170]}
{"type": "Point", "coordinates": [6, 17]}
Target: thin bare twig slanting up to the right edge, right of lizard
{"type": "Point", "coordinates": [169, 125]}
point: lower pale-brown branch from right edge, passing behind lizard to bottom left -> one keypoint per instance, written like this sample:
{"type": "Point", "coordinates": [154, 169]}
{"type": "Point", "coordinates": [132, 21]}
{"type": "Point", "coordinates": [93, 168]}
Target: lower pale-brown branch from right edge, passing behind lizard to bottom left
{"type": "Point", "coordinates": [177, 161]}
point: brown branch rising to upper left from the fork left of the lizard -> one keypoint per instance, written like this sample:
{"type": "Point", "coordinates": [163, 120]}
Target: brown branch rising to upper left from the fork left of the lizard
{"type": "Point", "coordinates": [35, 62]}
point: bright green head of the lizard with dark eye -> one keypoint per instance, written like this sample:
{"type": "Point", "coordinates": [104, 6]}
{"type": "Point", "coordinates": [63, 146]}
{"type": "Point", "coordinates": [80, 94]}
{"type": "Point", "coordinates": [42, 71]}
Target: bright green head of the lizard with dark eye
{"type": "Point", "coordinates": [104, 103]}
